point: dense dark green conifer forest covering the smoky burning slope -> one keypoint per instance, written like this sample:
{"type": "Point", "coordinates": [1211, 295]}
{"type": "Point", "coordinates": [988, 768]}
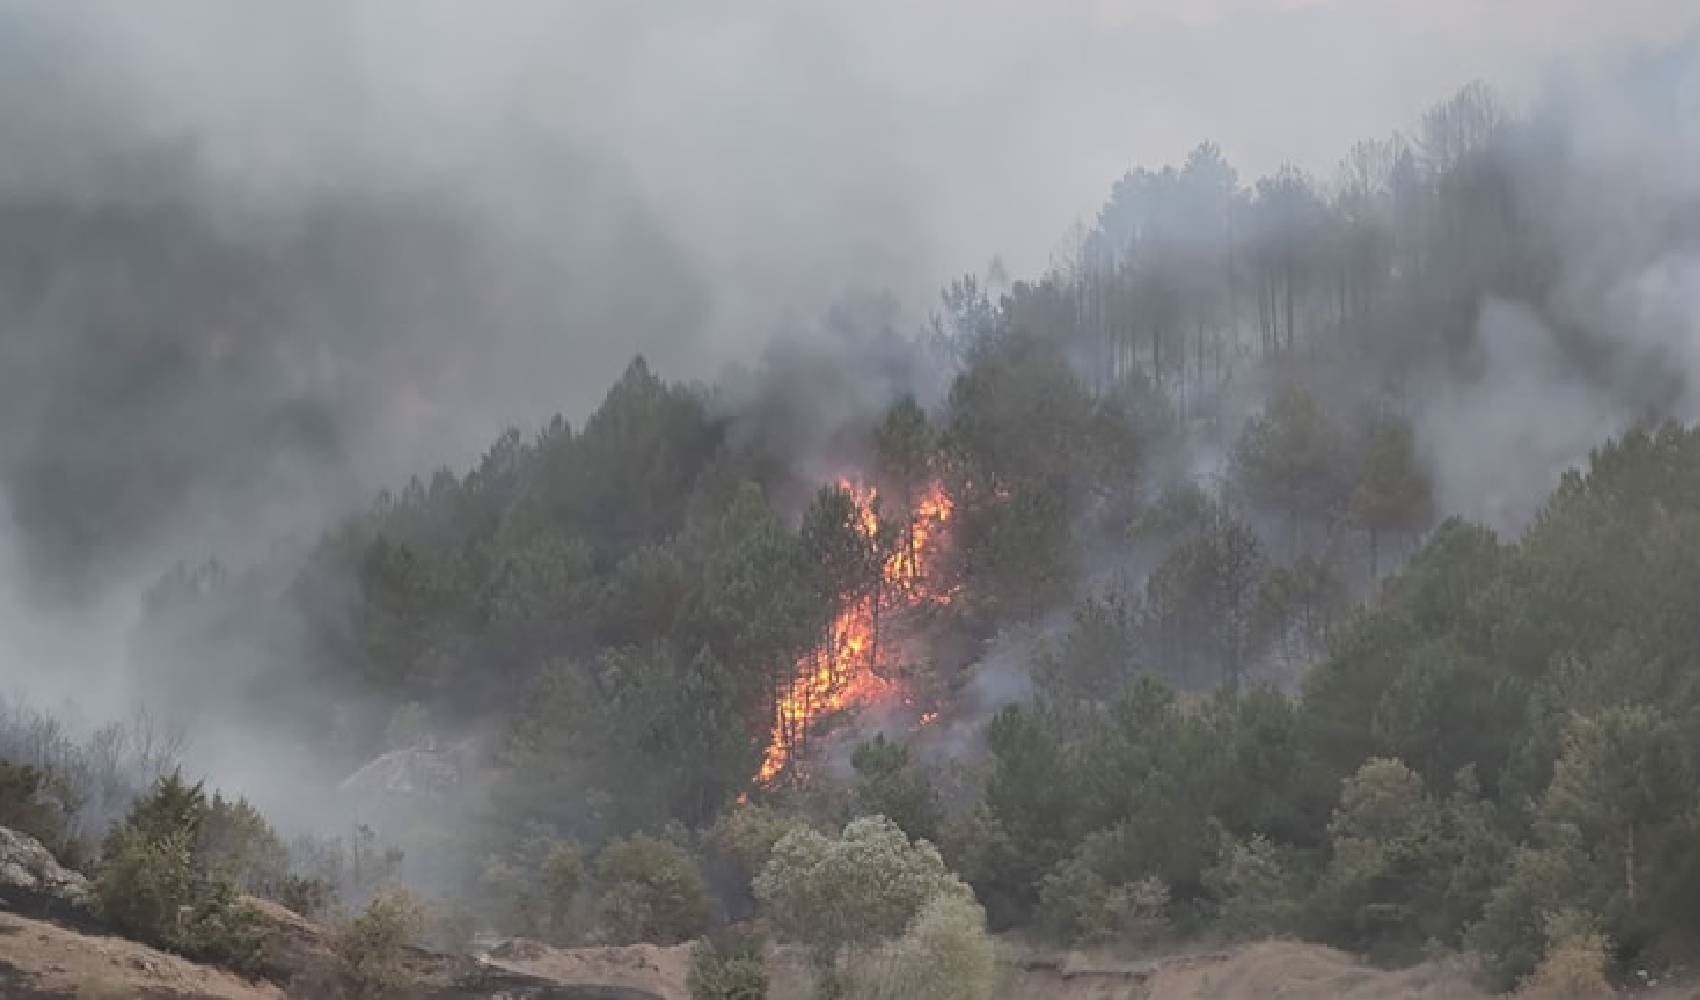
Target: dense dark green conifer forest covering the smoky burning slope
{"type": "Point", "coordinates": [1140, 599]}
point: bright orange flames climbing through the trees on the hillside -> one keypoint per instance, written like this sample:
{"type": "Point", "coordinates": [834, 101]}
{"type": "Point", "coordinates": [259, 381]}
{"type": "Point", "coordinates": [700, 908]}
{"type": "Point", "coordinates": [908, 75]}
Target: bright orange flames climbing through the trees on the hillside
{"type": "Point", "coordinates": [846, 669]}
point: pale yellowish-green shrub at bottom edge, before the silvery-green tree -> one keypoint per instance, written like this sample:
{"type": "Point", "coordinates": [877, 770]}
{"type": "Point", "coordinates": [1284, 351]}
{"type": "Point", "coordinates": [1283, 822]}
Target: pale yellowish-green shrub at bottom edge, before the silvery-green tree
{"type": "Point", "coordinates": [946, 955]}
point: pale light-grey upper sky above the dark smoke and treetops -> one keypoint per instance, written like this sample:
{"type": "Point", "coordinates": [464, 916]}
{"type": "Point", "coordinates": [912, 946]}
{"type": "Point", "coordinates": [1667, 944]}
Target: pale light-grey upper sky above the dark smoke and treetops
{"type": "Point", "coordinates": [793, 147]}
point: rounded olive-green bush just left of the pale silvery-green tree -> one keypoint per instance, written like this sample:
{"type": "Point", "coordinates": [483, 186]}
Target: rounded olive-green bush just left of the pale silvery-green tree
{"type": "Point", "coordinates": [650, 892]}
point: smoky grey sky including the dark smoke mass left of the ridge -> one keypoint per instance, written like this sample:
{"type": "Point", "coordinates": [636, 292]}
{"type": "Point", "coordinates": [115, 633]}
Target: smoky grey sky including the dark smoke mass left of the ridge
{"type": "Point", "coordinates": [672, 178]}
